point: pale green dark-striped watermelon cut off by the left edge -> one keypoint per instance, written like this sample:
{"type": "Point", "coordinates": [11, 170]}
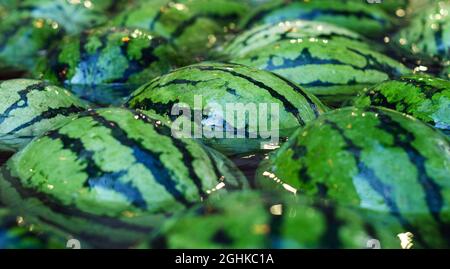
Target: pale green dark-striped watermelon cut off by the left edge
{"type": "Point", "coordinates": [31, 107]}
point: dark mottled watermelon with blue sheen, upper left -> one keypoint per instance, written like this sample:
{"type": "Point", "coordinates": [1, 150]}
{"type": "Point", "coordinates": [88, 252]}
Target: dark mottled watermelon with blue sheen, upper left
{"type": "Point", "coordinates": [103, 65]}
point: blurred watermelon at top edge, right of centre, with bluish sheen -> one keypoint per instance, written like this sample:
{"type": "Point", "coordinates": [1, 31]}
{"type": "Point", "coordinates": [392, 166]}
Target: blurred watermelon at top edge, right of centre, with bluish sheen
{"type": "Point", "coordinates": [368, 20]}
